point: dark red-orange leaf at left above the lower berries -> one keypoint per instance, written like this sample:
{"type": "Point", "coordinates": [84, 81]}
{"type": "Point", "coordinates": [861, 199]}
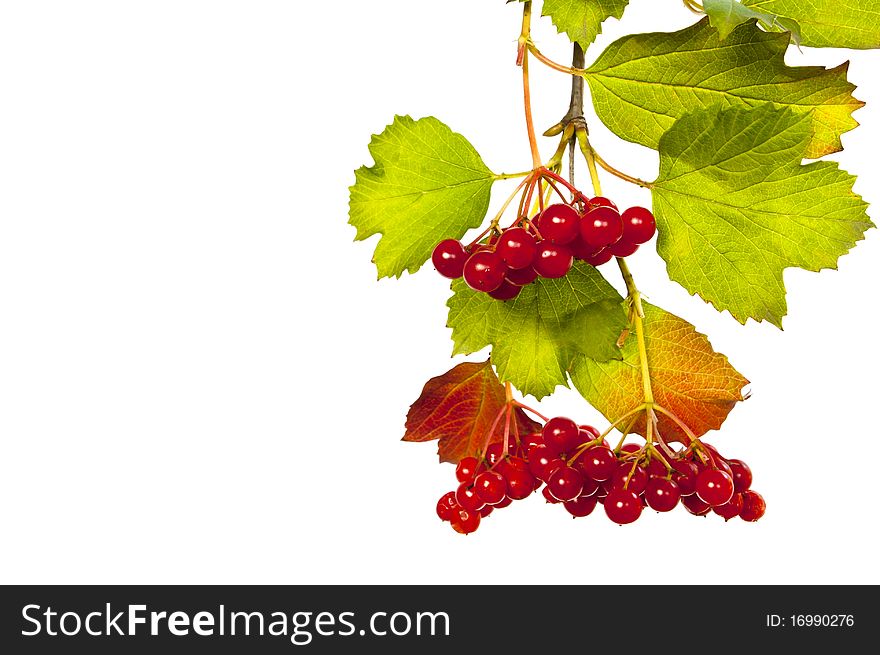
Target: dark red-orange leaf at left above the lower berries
{"type": "Point", "coordinates": [458, 408]}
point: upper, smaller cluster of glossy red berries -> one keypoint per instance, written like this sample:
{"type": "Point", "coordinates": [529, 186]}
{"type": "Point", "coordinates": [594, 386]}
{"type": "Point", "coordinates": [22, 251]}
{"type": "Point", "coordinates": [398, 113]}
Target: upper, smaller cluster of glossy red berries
{"type": "Point", "coordinates": [546, 247]}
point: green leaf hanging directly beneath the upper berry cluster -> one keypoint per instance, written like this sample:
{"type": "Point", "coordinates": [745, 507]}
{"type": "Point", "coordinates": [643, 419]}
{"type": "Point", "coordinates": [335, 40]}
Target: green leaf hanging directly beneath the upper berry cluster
{"type": "Point", "coordinates": [536, 336]}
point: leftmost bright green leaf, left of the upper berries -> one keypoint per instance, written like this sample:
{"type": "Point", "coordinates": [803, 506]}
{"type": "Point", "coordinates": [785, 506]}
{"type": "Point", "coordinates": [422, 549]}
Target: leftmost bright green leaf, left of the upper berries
{"type": "Point", "coordinates": [428, 184]}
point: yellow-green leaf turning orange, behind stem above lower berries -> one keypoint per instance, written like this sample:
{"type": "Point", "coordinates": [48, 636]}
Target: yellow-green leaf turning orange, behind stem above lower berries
{"type": "Point", "coordinates": [688, 378]}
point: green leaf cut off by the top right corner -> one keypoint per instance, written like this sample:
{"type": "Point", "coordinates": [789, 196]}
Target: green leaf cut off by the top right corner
{"type": "Point", "coordinates": [829, 23]}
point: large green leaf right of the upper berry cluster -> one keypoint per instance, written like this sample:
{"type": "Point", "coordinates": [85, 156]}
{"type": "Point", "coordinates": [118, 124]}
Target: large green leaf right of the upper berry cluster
{"type": "Point", "coordinates": [735, 207]}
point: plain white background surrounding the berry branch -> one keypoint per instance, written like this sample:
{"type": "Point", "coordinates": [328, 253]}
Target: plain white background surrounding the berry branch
{"type": "Point", "coordinates": [202, 381]}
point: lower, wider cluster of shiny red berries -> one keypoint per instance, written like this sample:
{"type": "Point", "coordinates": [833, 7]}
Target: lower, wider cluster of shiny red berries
{"type": "Point", "coordinates": [579, 470]}
